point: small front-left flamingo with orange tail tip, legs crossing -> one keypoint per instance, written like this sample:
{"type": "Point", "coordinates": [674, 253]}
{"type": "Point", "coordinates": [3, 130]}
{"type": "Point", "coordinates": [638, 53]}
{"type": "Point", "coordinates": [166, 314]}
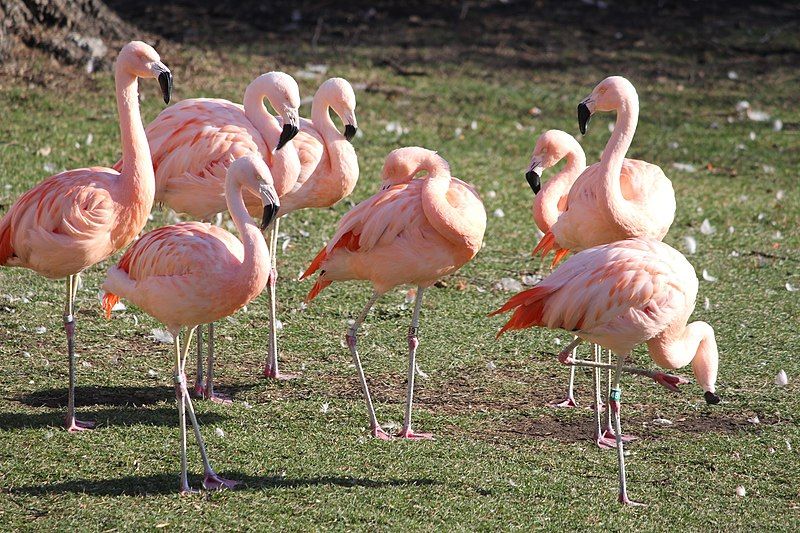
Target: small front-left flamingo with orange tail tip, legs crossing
{"type": "Point", "coordinates": [191, 273]}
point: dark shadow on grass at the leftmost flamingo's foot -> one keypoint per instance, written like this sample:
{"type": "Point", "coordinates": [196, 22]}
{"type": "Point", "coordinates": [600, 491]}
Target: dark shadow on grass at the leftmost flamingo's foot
{"type": "Point", "coordinates": [163, 416]}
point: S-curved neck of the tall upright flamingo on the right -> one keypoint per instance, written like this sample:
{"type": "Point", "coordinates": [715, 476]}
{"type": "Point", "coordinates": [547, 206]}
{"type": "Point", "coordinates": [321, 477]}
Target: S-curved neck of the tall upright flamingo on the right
{"type": "Point", "coordinates": [618, 208]}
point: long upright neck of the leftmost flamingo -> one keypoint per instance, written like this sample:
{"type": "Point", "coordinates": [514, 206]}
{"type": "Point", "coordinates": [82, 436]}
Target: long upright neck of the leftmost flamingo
{"type": "Point", "coordinates": [137, 165]}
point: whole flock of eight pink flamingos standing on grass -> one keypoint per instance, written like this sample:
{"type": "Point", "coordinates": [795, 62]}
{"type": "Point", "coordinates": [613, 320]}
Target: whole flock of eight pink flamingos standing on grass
{"type": "Point", "coordinates": [205, 156]}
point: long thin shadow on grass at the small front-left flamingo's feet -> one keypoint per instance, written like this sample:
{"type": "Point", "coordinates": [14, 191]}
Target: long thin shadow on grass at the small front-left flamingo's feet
{"type": "Point", "coordinates": [168, 484]}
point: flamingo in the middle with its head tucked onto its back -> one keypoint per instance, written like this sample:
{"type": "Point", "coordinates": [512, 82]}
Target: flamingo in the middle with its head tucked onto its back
{"type": "Point", "coordinates": [414, 231]}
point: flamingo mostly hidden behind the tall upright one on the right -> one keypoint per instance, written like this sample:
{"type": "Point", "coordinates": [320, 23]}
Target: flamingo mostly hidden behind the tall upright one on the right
{"type": "Point", "coordinates": [550, 199]}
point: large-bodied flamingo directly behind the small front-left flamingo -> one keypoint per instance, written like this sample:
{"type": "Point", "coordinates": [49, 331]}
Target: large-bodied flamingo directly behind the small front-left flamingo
{"type": "Point", "coordinates": [194, 142]}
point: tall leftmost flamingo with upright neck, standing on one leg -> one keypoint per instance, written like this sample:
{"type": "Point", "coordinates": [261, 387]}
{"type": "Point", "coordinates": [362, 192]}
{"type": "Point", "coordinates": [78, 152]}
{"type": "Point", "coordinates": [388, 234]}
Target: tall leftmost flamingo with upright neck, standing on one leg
{"type": "Point", "coordinates": [77, 218]}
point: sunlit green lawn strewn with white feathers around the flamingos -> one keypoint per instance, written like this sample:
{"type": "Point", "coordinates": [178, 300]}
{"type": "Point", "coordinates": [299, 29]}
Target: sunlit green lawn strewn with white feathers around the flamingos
{"type": "Point", "coordinates": [502, 458]}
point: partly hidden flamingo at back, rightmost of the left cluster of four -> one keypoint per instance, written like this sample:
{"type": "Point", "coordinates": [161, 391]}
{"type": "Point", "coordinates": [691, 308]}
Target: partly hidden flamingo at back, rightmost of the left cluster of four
{"type": "Point", "coordinates": [329, 172]}
